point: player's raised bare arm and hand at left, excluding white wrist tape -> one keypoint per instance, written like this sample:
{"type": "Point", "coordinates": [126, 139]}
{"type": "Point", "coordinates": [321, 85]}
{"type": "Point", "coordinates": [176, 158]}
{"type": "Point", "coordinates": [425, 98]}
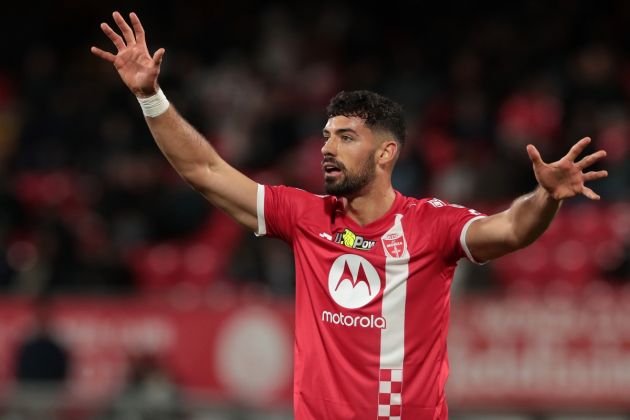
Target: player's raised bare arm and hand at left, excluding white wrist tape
{"type": "Point", "coordinates": [192, 156]}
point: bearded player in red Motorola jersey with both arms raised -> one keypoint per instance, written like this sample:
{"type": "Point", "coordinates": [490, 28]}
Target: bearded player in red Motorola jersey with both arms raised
{"type": "Point", "coordinates": [373, 267]}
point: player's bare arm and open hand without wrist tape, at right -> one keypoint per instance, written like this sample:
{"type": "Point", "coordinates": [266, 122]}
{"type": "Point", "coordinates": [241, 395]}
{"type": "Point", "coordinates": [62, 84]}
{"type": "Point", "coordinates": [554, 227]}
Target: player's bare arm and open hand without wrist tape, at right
{"type": "Point", "coordinates": [530, 215]}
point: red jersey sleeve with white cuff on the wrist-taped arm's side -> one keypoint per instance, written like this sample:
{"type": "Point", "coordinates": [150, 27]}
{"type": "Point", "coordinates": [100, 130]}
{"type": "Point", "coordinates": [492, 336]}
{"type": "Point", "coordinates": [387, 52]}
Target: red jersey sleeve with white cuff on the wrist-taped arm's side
{"type": "Point", "coordinates": [277, 209]}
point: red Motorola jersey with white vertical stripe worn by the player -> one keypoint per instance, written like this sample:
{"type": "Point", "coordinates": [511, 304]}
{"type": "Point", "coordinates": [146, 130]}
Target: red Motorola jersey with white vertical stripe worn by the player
{"type": "Point", "coordinates": [372, 303]}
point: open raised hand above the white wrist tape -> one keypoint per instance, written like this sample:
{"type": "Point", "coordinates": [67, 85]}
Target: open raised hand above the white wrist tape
{"type": "Point", "coordinates": [138, 70]}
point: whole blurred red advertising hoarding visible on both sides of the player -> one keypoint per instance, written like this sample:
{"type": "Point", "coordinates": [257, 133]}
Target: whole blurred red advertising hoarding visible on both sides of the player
{"type": "Point", "coordinates": [546, 351]}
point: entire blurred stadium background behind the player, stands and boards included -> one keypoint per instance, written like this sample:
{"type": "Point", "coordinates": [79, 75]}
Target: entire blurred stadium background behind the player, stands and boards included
{"type": "Point", "coordinates": [165, 309]}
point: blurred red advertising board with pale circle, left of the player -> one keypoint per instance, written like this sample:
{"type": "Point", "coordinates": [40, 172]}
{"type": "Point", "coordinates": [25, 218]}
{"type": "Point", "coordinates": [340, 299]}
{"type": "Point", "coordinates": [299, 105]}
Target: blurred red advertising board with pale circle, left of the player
{"type": "Point", "coordinates": [232, 349]}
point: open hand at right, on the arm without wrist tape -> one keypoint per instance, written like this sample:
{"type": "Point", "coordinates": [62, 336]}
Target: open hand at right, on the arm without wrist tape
{"type": "Point", "coordinates": [565, 178]}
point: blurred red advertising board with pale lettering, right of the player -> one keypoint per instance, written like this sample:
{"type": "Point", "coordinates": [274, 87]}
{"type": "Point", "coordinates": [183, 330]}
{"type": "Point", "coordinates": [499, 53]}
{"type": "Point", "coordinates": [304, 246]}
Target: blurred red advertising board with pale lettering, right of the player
{"type": "Point", "coordinates": [550, 351]}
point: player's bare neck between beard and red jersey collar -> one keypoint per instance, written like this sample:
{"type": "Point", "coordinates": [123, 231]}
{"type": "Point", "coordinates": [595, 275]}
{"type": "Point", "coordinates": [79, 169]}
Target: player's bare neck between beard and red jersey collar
{"type": "Point", "coordinates": [370, 205]}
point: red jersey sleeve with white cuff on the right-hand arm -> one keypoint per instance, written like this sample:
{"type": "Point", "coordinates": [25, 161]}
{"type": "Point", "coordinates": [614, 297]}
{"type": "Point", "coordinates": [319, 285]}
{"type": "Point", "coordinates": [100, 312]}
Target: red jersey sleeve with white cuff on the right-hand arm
{"type": "Point", "coordinates": [451, 222]}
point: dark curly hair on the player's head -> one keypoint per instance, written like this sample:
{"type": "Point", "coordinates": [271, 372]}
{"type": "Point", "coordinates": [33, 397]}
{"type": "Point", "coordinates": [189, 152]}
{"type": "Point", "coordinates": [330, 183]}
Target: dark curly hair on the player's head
{"type": "Point", "coordinates": [379, 112]}
